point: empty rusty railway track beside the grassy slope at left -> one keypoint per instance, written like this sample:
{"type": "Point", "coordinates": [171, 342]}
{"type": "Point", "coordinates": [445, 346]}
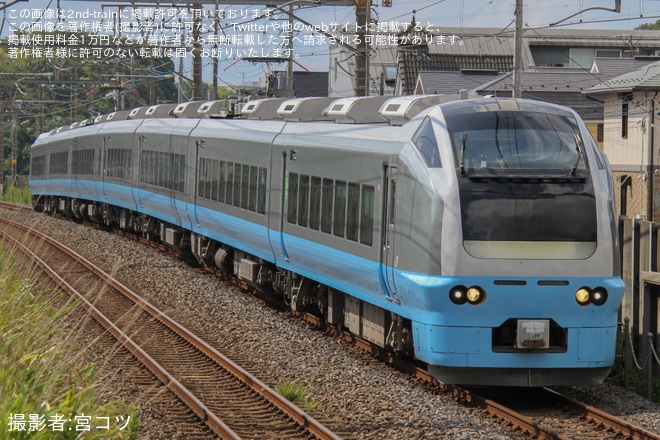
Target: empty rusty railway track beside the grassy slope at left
{"type": "Point", "coordinates": [232, 402]}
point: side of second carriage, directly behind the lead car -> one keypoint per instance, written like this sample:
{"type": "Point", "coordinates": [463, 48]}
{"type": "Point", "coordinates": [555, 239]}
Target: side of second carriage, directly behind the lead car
{"type": "Point", "coordinates": [233, 181]}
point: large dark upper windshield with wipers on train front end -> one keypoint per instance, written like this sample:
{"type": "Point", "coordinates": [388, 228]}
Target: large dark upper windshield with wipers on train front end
{"type": "Point", "coordinates": [515, 140]}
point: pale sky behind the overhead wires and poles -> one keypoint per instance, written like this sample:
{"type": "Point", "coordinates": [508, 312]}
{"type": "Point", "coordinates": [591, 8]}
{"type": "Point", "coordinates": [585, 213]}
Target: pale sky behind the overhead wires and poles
{"type": "Point", "coordinates": [438, 13]}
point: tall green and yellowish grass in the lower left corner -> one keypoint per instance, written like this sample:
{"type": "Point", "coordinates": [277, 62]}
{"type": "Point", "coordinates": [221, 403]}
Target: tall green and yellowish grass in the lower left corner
{"type": "Point", "coordinates": [47, 391]}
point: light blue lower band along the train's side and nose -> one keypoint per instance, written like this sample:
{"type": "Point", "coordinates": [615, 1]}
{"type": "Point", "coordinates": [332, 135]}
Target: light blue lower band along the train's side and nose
{"type": "Point", "coordinates": [461, 343]}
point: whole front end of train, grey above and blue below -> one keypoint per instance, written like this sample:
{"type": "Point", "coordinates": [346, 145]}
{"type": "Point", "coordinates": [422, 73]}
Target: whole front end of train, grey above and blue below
{"type": "Point", "coordinates": [531, 283]}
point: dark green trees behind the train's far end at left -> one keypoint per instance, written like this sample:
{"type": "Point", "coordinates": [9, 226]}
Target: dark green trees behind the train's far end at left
{"type": "Point", "coordinates": [39, 93]}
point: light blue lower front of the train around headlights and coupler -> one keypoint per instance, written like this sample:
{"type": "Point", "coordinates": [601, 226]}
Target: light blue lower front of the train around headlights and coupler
{"type": "Point", "coordinates": [464, 343]}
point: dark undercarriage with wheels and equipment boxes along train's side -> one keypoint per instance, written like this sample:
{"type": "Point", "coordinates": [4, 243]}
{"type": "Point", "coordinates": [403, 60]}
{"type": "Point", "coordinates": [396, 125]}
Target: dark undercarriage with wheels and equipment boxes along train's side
{"type": "Point", "coordinates": [377, 325]}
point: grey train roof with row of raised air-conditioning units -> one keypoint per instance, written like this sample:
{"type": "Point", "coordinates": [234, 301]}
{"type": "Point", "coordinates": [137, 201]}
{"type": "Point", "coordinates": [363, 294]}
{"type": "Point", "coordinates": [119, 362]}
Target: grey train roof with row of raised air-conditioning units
{"type": "Point", "coordinates": [374, 111]}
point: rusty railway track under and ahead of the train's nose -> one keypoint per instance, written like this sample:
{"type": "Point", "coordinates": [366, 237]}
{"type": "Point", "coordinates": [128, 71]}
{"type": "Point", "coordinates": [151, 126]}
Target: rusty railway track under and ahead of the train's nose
{"type": "Point", "coordinates": [535, 413]}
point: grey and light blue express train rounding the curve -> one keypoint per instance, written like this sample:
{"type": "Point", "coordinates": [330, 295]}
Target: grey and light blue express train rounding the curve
{"type": "Point", "coordinates": [477, 235]}
